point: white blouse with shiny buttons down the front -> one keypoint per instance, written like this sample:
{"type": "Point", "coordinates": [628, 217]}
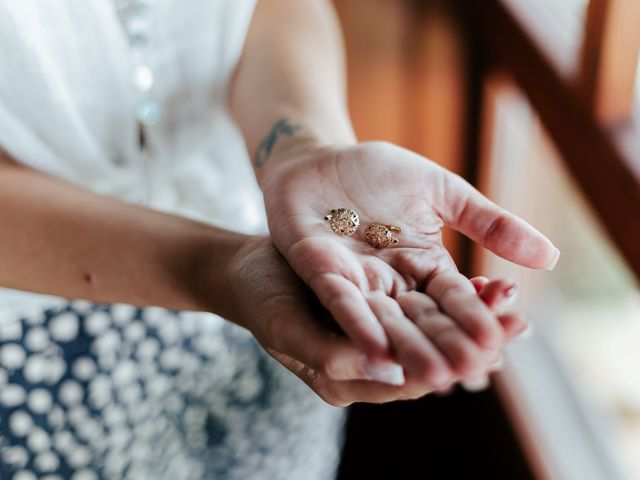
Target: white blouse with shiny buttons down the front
{"type": "Point", "coordinates": [73, 78]}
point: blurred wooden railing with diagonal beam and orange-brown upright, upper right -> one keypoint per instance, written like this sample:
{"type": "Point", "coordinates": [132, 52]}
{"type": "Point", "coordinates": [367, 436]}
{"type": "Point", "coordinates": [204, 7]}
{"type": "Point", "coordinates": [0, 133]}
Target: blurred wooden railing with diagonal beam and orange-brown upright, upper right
{"type": "Point", "coordinates": [587, 108]}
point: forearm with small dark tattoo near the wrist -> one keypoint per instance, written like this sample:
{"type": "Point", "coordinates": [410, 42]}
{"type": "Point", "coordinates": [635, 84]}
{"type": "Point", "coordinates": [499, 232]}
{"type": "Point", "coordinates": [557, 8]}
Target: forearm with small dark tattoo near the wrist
{"type": "Point", "coordinates": [289, 89]}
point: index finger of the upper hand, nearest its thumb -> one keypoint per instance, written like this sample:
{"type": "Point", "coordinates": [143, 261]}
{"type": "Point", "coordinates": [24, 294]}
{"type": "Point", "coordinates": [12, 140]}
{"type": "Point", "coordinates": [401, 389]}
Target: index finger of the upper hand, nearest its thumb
{"type": "Point", "coordinates": [457, 298]}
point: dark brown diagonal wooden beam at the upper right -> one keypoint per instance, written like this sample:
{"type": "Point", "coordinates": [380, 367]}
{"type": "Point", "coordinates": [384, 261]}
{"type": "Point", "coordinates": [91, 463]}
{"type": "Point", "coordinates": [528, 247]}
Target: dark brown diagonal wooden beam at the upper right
{"type": "Point", "coordinates": [607, 171]}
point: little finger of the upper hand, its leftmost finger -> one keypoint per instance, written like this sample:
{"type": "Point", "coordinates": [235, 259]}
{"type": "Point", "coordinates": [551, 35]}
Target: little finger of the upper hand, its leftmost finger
{"type": "Point", "coordinates": [347, 305]}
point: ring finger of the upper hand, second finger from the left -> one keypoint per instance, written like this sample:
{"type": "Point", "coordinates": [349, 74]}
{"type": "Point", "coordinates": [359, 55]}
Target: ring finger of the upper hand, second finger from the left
{"type": "Point", "coordinates": [409, 345]}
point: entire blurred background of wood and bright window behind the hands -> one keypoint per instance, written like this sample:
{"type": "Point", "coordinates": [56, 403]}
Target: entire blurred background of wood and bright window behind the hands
{"type": "Point", "coordinates": [537, 104]}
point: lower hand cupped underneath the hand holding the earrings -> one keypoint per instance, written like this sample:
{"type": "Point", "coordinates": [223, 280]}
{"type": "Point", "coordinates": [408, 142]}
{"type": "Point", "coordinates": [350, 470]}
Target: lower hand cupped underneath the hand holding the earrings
{"type": "Point", "coordinates": [287, 320]}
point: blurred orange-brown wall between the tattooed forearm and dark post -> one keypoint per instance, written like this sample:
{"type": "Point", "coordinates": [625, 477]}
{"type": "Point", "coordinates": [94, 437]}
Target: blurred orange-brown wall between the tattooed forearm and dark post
{"type": "Point", "coordinates": [406, 77]}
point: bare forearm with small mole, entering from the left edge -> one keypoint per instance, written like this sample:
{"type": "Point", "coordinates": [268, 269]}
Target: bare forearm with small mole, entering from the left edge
{"type": "Point", "coordinates": [62, 240]}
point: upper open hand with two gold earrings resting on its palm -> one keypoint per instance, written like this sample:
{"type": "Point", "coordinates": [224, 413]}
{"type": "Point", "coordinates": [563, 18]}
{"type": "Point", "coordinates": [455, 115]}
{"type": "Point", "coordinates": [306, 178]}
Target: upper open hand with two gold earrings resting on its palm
{"type": "Point", "coordinates": [371, 292]}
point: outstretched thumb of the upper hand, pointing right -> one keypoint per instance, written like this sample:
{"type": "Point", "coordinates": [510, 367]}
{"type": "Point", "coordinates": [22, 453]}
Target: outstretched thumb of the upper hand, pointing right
{"type": "Point", "coordinates": [505, 234]}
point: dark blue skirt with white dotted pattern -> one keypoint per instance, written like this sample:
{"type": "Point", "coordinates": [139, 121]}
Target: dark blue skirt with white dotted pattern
{"type": "Point", "coordinates": [111, 391]}
